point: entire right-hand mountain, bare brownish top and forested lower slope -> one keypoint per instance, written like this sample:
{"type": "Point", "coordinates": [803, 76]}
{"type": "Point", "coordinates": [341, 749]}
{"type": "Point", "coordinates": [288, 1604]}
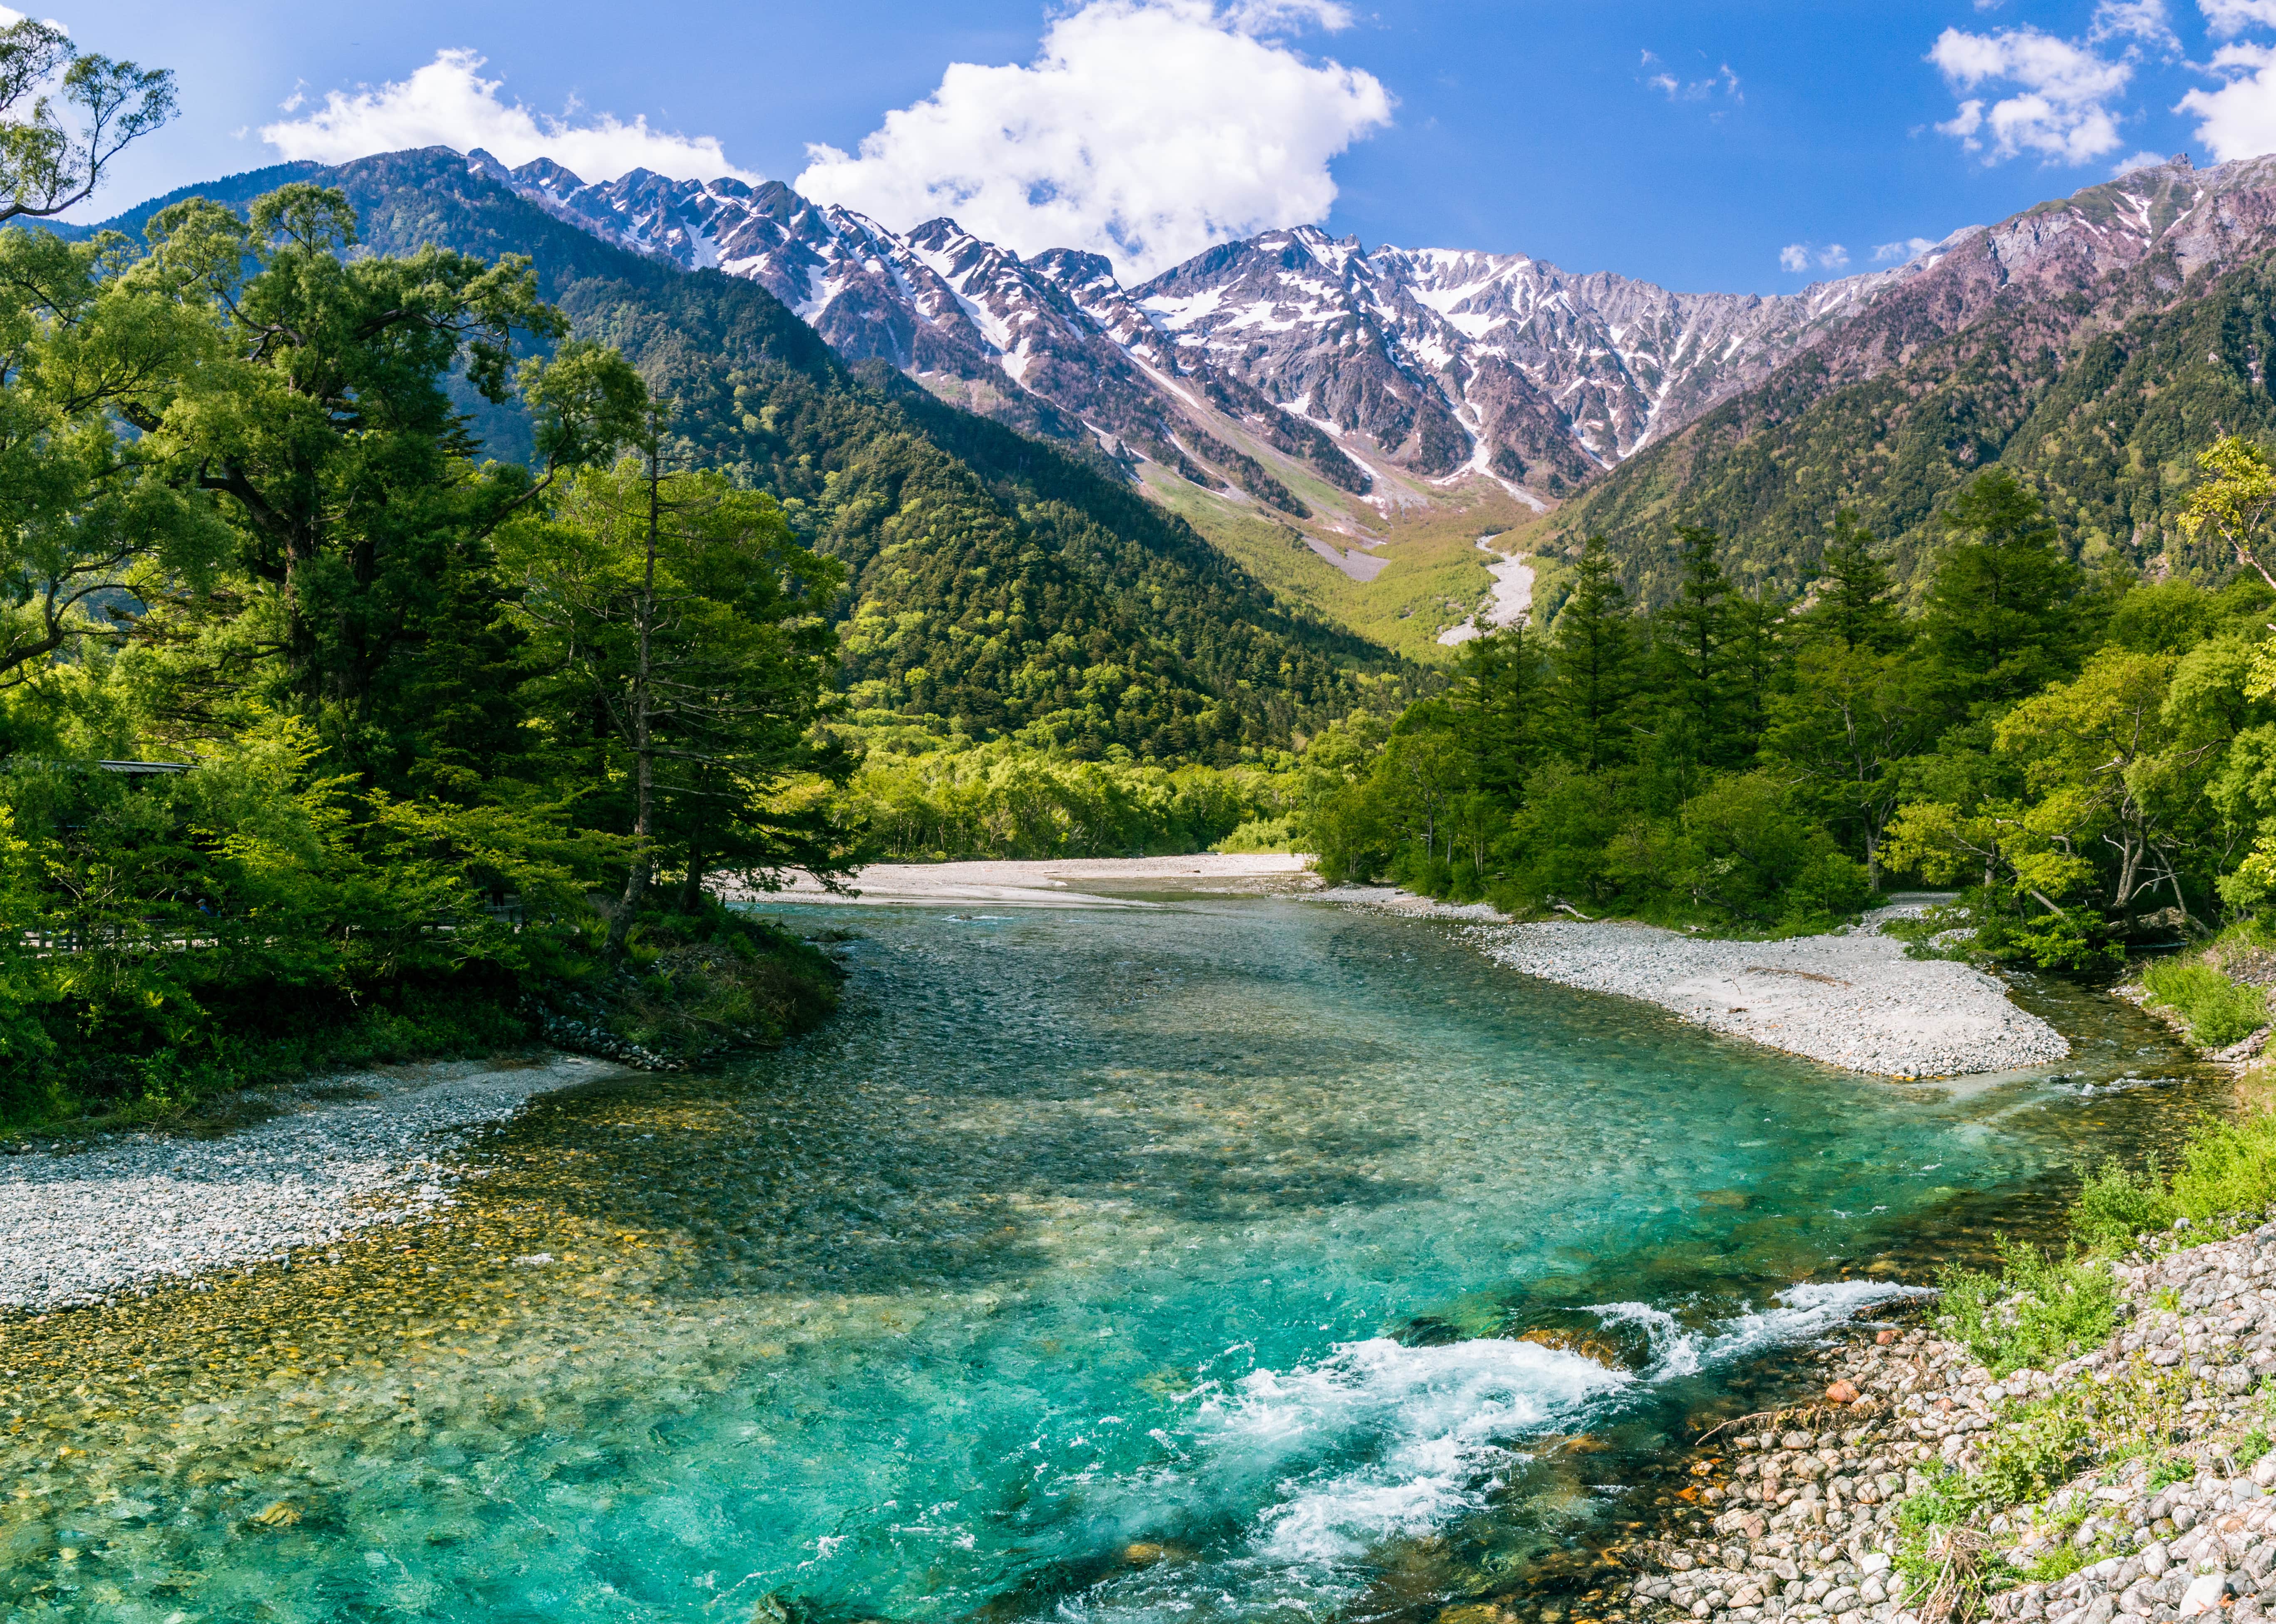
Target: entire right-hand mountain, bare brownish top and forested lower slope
{"type": "Point", "coordinates": [2095, 345]}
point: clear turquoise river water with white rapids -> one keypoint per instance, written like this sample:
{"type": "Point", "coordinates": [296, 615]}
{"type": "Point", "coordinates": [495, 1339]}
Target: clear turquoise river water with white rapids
{"type": "Point", "coordinates": [1094, 1265]}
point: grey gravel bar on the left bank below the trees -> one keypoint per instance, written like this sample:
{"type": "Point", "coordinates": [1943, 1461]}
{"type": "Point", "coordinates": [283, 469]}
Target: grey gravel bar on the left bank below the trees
{"type": "Point", "coordinates": [131, 1211]}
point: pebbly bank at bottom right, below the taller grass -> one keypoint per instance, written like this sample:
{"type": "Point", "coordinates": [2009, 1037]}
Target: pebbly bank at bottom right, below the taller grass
{"type": "Point", "coordinates": [2175, 1516]}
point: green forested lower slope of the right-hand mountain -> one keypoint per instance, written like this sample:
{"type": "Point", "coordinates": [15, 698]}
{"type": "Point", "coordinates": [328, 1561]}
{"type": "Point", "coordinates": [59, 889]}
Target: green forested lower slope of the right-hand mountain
{"type": "Point", "coordinates": [2104, 418]}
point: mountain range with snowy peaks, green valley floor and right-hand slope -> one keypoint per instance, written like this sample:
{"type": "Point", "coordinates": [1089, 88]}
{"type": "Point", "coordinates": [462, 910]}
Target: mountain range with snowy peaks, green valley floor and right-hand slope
{"type": "Point", "coordinates": [1367, 434]}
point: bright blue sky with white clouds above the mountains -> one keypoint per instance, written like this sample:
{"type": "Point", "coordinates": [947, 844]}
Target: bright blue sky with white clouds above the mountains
{"type": "Point", "coordinates": [1742, 147]}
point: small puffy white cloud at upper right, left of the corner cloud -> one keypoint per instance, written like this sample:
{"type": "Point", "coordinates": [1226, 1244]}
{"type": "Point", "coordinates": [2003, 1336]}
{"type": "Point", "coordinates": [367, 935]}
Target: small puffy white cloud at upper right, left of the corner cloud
{"type": "Point", "coordinates": [2059, 101]}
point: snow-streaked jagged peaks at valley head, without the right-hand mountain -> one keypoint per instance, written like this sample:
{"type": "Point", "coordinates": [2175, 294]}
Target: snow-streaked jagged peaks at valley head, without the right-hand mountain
{"type": "Point", "coordinates": [1342, 359]}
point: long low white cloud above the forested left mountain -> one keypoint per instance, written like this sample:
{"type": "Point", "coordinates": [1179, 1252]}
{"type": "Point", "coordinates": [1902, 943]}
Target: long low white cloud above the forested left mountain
{"type": "Point", "coordinates": [450, 104]}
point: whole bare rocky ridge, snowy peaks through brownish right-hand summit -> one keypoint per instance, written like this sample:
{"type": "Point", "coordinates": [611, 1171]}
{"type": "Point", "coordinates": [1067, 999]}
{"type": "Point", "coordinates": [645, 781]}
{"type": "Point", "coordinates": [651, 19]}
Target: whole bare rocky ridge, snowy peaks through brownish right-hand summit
{"type": "Point", "coordinates": [1360, 363]}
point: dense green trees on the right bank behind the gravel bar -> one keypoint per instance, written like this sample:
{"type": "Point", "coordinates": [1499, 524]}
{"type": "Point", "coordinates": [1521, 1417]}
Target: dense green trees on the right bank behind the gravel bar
{"type": "Point", "coordinates": [2084, 753]}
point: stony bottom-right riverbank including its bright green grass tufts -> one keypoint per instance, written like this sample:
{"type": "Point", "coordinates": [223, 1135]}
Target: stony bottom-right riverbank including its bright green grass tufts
{"type": "Point", "coordinates": [2079, 1434]}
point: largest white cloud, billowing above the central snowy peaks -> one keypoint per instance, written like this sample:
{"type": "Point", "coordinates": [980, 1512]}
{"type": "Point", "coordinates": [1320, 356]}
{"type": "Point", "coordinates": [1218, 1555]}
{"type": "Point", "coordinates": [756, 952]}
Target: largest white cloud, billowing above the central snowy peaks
{"type": "Point", "coordinates": [1144, 131]}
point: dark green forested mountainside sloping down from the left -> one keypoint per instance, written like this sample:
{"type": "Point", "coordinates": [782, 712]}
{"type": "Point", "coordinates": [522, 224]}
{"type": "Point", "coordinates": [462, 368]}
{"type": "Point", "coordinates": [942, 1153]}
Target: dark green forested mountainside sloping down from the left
{"type": "Point", "coordinates": [998, 584]}
